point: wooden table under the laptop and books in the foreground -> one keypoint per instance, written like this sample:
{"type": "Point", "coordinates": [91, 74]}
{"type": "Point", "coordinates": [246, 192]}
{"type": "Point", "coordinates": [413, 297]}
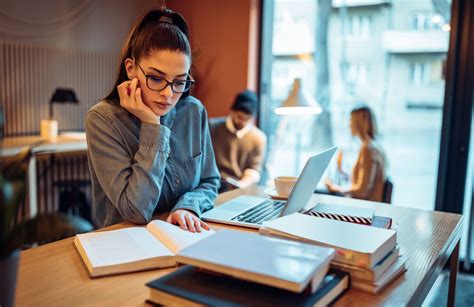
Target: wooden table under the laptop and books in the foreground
{"type": "Point", "coordinates": [53, 274]}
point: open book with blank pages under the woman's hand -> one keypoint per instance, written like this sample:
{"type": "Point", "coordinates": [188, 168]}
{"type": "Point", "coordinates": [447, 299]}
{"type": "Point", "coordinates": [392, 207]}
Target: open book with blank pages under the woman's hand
{"type": "Point", "coordinates": [134, 249]}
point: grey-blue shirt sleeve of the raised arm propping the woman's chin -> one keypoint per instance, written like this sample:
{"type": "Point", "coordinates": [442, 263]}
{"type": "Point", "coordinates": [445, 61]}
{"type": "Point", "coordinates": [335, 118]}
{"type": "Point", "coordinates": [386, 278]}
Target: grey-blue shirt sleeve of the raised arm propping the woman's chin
{"type": "Point", "coordinates": [132, 184]}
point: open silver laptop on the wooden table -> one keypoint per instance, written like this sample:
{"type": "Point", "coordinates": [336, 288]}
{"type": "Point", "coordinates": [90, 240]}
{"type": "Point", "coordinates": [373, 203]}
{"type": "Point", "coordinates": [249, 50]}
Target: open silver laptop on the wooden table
{"type": "Point", "coordinates": [251, 211]}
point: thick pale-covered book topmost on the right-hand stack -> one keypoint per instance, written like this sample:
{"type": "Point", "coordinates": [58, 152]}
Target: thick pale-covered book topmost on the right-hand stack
{"type": "Point", "coordinates": [355, 244]}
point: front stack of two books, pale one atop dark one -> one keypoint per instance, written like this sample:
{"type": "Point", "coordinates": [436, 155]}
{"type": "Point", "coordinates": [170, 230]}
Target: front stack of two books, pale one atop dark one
{"type": "Point", "coordinates": [241, 268]}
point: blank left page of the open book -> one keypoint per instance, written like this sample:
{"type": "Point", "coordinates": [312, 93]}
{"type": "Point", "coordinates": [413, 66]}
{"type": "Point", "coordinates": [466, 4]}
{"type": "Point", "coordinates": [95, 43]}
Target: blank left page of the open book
{"type": "Point", "coordinates": [121, 246]}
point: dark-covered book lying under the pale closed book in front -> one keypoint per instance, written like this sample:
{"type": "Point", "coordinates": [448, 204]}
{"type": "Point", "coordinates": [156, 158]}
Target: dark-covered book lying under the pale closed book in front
{"type": "Point", "coordinates": [188, 286]}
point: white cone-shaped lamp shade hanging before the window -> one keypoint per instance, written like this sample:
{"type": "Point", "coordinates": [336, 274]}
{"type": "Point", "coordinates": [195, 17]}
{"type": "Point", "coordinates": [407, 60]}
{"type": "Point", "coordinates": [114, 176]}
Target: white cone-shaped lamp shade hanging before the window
{"type": "Point", "coordinates": [298, 102]}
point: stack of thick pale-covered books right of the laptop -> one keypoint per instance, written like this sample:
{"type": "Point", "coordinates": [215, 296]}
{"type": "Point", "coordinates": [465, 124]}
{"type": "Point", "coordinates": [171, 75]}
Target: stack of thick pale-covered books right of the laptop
{"type": "Point", "coordinates": [369, 254]}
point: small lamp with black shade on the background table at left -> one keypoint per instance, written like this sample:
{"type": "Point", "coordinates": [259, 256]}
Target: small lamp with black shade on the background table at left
{"type": "Point", "coordinates": [49, 127]}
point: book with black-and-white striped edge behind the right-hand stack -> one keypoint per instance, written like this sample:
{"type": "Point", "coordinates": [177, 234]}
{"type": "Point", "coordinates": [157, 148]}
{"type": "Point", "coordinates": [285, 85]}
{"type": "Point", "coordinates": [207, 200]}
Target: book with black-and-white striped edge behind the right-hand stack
{"type": "Point", "coordinates": [343, 213]}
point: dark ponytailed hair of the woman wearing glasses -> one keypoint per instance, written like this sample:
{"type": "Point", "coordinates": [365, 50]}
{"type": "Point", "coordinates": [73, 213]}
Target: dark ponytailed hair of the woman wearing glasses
{"type": "Point", "coordinates": [158, 30]}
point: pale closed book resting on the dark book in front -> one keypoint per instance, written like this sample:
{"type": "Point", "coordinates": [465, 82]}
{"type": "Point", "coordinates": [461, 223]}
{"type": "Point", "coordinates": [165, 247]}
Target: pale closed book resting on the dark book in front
{"type": "Point", "coordinates": [280, 263]}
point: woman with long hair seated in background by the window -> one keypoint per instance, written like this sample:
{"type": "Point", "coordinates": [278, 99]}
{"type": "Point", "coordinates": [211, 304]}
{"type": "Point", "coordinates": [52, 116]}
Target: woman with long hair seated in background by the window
{"type": "Point", "coordinates": [368, 175]}
